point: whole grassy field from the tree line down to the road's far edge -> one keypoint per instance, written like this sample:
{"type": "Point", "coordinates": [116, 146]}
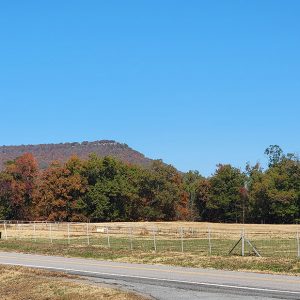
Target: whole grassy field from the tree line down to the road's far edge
{"type": "Point", "coordinates": [187, 244]}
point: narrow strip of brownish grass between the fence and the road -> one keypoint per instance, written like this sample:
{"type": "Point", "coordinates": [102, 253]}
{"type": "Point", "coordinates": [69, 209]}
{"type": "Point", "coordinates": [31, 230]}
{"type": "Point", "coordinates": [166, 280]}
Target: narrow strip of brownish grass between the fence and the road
{"type": "Point", "coordinates": [266, 265]}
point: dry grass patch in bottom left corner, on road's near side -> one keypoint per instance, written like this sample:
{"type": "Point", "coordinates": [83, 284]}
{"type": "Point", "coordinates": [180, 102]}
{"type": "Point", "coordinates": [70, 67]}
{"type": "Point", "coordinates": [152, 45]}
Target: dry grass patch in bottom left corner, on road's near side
{"type": "Point", "coordinates": [19, 283]}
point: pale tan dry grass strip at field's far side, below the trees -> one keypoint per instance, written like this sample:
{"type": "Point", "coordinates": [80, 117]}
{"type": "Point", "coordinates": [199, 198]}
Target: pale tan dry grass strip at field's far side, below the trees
{"type": "Point", "coordinates": [144, 229]}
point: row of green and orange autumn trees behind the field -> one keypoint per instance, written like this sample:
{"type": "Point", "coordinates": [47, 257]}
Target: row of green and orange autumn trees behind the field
{"type": "Point", "coordinates": [106, 189]}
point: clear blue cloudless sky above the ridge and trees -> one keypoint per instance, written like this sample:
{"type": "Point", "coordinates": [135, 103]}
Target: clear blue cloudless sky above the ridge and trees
{"type": "Point", "coordinates": [192, 82]}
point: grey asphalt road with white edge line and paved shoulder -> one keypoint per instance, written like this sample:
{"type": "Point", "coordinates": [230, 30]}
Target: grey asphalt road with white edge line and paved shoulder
{"type": "Point", "coordinates": [164, 282]}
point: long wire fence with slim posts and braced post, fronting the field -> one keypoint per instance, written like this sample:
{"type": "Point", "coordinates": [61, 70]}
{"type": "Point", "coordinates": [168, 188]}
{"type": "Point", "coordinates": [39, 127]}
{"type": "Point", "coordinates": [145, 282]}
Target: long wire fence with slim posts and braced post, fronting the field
{"type": "Point", "coordinates": [205, 239]}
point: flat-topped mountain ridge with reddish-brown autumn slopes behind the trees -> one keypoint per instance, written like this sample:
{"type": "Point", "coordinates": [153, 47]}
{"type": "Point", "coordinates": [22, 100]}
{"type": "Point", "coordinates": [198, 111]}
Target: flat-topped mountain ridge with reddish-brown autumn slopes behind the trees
{"type": "Point", "coordinates": [47, 153]}
